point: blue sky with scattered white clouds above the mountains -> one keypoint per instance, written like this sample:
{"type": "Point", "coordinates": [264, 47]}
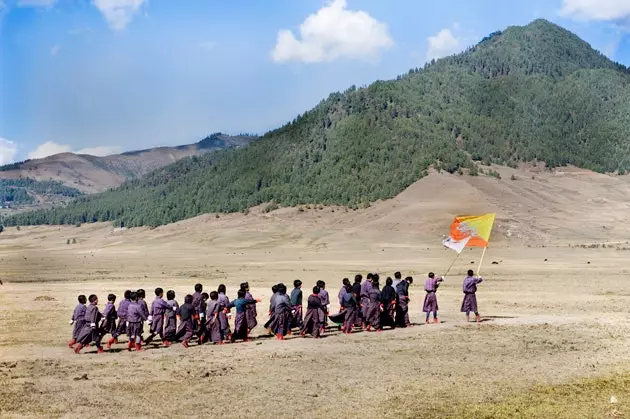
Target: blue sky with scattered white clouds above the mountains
{"type": "Point", "coordinates": [104, 76]}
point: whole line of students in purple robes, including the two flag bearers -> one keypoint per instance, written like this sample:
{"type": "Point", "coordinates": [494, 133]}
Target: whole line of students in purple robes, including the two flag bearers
{"type": "Point", "coordinates": [206, 317]}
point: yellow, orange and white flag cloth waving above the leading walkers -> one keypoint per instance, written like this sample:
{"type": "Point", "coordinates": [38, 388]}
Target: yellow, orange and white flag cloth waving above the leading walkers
{"type": "Point", "coordinates": [470, 231]}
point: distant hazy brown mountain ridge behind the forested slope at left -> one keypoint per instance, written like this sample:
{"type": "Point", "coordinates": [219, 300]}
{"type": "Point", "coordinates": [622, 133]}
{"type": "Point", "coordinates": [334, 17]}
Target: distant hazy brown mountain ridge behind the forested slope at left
{"type": "Point", "coordinates": [86, 174]}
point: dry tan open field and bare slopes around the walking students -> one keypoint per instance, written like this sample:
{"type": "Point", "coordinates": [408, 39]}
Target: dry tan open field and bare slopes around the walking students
{"type": "Point", "coordinates": [554, 340]}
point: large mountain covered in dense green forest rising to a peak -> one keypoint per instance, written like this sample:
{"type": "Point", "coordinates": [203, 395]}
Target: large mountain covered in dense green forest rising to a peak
{"type": "Point", "coordinates": [536, 93]}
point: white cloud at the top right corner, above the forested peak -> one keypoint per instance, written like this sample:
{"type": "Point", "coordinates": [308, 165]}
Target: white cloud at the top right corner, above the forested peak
{"type": "Point", "coordinates": [614, 10]}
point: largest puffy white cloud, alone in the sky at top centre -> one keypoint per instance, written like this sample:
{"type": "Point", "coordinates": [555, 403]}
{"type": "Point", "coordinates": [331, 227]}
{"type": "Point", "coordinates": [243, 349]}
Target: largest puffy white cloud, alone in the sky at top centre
{"type": "Point", "coordinates": [333, 32]}
